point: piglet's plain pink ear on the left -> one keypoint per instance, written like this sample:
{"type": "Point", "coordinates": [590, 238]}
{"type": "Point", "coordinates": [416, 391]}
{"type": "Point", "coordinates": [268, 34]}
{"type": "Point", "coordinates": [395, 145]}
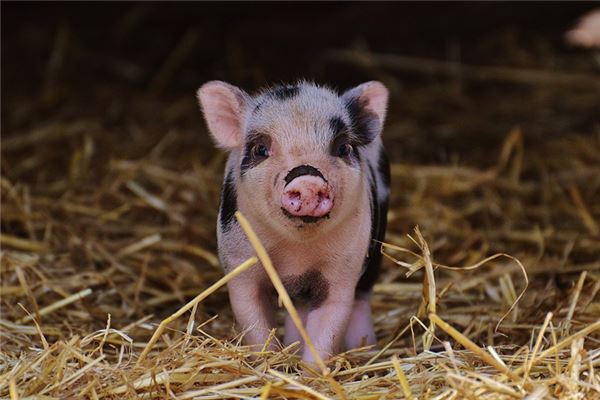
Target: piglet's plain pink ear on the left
{"type": "Point", "coordinates": [224, 107]}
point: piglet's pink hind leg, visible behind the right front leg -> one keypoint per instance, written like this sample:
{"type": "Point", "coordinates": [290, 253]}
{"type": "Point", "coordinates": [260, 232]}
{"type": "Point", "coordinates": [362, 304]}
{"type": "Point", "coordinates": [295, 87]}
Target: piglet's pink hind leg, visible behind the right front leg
{"type": "Point", "coordinates": [360, 331]}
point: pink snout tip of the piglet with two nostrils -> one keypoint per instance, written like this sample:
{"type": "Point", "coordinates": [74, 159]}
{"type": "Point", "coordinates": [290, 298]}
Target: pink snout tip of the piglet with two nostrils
{"type": "Point", "coordinates": [307, 196]}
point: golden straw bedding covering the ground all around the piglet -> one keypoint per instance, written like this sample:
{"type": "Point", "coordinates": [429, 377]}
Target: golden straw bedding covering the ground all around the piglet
{"type": "Point", "coordinates": [108, 220]}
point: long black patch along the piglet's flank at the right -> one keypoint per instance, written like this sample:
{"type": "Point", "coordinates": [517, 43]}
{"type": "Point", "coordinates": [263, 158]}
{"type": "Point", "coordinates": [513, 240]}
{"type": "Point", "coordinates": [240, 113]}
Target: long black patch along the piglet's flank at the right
{"type": "Point", "coordinates": [372, 263]}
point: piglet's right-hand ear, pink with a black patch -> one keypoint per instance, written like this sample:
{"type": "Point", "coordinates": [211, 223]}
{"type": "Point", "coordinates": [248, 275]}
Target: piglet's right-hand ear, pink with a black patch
{"type": "Point", "coordinates": [367, 105]}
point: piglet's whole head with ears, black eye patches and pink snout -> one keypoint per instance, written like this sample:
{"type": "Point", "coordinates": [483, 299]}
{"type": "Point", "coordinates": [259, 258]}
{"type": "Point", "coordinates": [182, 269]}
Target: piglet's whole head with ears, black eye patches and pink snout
{"type": "Point", "coordinates": [298, 152]}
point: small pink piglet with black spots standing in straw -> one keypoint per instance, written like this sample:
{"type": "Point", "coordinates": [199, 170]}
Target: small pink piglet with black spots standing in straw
{"type": "Point", "coordinates": [308, 169]}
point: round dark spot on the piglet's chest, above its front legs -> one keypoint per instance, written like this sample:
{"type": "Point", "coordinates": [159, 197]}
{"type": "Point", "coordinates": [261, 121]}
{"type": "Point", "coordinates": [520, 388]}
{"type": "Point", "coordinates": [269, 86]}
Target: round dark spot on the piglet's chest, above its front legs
{"type": "Point", "coordinates": [308, 290]}
